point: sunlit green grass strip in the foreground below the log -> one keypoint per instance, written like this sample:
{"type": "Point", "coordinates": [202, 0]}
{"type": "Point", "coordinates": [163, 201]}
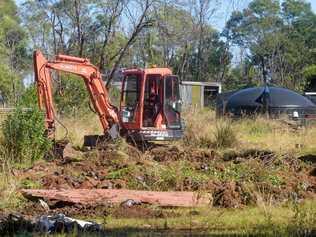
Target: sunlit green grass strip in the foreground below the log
{"type": "Point", "coordinates": [265, 220]}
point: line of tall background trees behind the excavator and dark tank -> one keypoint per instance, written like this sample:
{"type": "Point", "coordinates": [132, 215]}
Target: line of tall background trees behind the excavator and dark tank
{"type": "Point", "coordinates": [275, 41]}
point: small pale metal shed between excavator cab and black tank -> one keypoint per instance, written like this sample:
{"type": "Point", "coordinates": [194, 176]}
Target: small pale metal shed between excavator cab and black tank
{"type": "Point", "coordinates": [201, 94]}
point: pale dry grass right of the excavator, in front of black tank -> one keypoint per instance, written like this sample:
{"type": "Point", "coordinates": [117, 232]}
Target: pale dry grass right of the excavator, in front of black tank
{"type": "Point", "coordinates": [259, 133]}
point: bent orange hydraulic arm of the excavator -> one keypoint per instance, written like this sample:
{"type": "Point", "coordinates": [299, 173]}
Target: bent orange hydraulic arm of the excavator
{"type": "Point", "coordinates": [92, 78]}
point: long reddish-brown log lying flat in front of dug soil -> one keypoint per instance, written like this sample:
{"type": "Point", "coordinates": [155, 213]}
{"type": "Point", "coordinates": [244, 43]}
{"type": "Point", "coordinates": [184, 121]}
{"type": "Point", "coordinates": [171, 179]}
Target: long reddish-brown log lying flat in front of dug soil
{"type": "Point", "coordinates": [117, 196]}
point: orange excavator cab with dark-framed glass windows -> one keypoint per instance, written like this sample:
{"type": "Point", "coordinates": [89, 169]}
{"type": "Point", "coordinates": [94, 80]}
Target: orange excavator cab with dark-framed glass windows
{"type": "Point", "coordinates": [150, 108]}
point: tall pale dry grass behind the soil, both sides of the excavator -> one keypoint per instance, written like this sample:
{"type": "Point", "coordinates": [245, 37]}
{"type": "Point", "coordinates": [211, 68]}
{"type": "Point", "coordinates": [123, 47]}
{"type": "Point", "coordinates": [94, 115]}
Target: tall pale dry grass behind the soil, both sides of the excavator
{"type": "Point", "coordinates": [203, 129]}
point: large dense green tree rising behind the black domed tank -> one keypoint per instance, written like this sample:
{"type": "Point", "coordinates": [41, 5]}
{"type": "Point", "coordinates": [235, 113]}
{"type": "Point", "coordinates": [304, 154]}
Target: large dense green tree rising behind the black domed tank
{"type": "Point", "coordinates": [278, 39]}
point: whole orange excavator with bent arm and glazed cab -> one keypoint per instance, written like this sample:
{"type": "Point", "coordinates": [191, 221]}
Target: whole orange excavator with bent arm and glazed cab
{"type": "Point", "coordinates": [150, 104]}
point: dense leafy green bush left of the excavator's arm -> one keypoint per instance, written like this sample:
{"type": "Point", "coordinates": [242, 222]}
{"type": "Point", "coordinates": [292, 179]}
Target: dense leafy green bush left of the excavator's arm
{"type": "Point", "coordinates": [24, 136]}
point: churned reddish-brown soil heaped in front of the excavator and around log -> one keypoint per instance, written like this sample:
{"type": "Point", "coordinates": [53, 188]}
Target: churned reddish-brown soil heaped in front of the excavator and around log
{"type": "Point", "coordinates": [113, 167]}
